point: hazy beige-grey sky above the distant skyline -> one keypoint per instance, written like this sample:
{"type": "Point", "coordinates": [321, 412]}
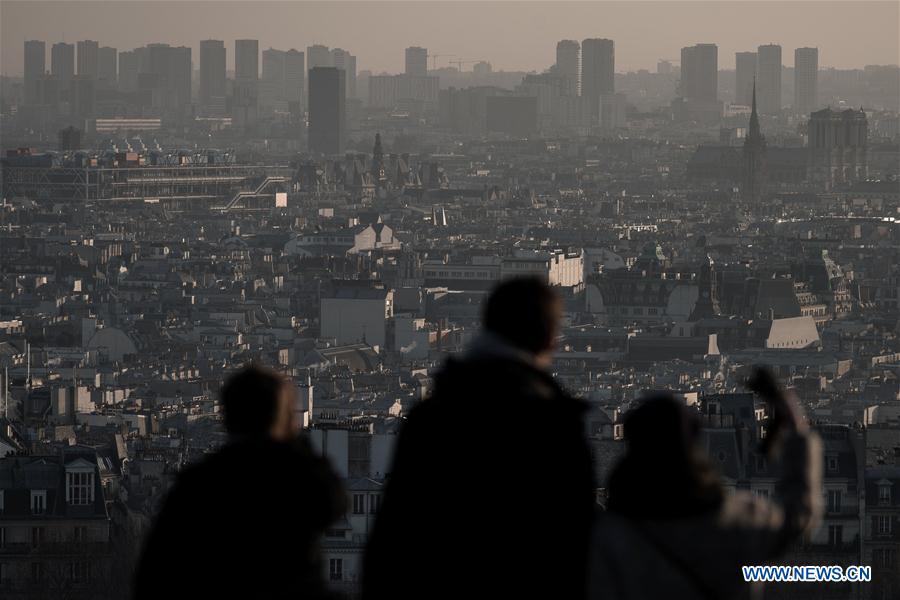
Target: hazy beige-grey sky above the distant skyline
{"type": "Point", "coordinates": [510, 35]}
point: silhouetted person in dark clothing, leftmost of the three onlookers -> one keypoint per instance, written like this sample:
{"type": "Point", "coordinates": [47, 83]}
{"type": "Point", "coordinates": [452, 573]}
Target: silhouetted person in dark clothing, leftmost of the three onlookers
{"type": "Point", "coordinates": [245, 522]}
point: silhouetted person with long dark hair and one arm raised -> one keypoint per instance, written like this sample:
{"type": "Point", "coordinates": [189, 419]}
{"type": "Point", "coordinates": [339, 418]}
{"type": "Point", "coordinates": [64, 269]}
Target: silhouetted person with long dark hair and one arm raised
{"type": "Point", "coordinates": [671, 531]}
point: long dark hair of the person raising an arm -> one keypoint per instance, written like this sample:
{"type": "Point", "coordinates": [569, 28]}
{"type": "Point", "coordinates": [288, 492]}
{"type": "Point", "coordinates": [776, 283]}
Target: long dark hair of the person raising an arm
{"type": "Point", "coordinates": [664, 473]}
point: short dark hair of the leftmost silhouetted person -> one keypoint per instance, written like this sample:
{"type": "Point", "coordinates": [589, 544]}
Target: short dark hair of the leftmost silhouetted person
{"type": "Point", "coordinates": [250, 400]}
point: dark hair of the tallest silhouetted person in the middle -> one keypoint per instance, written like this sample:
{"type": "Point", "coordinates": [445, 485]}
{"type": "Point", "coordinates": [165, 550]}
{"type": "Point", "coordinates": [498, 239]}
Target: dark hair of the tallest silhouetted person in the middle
{"type": "Point", "coordinates": [524, 311]}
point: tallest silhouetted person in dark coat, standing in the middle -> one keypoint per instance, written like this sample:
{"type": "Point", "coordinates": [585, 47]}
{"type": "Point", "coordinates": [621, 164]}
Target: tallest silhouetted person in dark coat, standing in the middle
{"type": "Point", "coordinates": [490, 494]}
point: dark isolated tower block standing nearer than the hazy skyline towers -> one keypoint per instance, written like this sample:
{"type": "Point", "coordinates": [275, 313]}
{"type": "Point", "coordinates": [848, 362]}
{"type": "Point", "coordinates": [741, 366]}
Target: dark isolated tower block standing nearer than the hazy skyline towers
{"type": "Point", "coordinates": [327, 106]}
